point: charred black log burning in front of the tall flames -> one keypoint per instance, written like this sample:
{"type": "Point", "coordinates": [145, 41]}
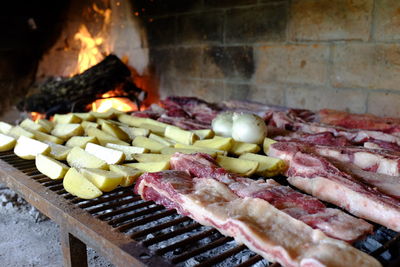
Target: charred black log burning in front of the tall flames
{"type": "Point", "coordinates": [62, 95]}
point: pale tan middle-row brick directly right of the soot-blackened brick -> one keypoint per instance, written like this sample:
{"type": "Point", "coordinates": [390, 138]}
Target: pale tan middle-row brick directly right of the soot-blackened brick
{"type": "Point", "coordinates": [305, 64]}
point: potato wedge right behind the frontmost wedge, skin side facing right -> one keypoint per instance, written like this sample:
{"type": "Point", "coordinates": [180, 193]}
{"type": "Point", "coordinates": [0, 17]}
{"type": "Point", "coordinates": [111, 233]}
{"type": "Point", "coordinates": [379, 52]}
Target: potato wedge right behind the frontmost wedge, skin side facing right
{"type": "Point", "coordinates": [104, 180]}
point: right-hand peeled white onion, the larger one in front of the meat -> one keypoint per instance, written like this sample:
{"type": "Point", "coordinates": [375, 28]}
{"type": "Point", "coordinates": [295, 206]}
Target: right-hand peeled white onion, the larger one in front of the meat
{"type": "Point", "coordinates": [248, 128]}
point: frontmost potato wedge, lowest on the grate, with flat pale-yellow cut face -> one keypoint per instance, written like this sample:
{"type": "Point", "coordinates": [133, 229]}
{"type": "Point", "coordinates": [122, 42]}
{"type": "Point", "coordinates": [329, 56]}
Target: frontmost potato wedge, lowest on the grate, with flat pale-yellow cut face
{"type": "Point", "coordinates": [78, 185]}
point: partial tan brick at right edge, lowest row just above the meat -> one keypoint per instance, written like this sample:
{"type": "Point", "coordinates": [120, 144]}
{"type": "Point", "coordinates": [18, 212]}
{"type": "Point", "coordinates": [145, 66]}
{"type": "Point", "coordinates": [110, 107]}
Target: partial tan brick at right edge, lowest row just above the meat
{"type": "Point", "coordinates": [384, 104]}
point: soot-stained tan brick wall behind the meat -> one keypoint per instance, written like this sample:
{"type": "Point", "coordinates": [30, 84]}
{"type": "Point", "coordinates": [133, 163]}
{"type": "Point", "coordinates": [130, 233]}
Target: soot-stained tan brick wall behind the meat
{"type": "Point", "coordinates": [342, 54]}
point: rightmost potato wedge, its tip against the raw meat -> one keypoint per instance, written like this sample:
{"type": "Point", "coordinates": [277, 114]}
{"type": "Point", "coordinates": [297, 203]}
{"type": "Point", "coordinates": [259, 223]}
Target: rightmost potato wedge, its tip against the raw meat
{"type": "Point", "coordinates": [268, 166]}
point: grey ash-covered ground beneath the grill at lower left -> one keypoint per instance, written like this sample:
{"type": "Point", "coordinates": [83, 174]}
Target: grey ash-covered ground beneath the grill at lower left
{"type": "Point", "coordinates": [28, 238]}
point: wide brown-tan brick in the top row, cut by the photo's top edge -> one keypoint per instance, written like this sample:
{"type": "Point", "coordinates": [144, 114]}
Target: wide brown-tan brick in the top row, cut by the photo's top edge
{"type": "Point", "coordinates": [330, 19]}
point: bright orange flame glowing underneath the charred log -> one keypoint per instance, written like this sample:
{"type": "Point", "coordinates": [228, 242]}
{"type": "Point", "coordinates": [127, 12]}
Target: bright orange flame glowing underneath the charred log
{"type": "Point", "coordinates": [119, 103]}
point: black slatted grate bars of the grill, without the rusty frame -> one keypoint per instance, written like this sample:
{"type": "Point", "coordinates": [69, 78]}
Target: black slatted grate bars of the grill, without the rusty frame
{"type": "Point", "coordinates": [178, 239]}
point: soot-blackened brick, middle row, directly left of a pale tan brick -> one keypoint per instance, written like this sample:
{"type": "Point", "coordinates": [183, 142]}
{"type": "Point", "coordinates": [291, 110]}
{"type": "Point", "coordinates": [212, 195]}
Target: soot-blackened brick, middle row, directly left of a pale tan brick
{"type": "Point", "coordinates": [228, 62]}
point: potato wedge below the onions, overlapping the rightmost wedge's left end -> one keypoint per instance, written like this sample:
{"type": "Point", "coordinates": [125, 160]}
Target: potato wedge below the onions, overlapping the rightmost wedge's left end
{"type": "Point", "coordinates": [240, 166]}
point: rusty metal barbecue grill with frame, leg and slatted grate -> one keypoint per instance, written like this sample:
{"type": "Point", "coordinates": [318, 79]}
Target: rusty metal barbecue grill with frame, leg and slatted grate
{"type": "Point", "coordinates": [130, 231]}
